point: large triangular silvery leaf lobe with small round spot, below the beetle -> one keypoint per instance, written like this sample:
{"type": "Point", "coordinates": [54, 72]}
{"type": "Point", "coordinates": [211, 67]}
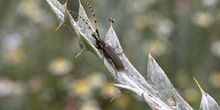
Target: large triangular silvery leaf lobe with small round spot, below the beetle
{"type": "Point", "coordinates": [163, 88]}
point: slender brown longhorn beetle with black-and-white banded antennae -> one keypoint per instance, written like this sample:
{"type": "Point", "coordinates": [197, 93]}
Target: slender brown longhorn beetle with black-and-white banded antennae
{"type": "Point", "coordinates": [106, 50]}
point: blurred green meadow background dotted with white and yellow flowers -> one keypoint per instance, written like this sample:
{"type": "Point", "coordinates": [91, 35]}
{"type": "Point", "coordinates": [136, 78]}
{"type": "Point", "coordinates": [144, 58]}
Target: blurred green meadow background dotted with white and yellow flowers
{"type": "Point", "coordinates": [38, 70]}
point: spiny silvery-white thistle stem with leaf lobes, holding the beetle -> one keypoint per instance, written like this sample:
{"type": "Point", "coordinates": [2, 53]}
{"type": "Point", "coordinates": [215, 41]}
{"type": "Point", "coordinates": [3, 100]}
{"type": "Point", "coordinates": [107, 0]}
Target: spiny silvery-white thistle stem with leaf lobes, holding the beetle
{"type": "Point", "coordinates": [157, 91]}
